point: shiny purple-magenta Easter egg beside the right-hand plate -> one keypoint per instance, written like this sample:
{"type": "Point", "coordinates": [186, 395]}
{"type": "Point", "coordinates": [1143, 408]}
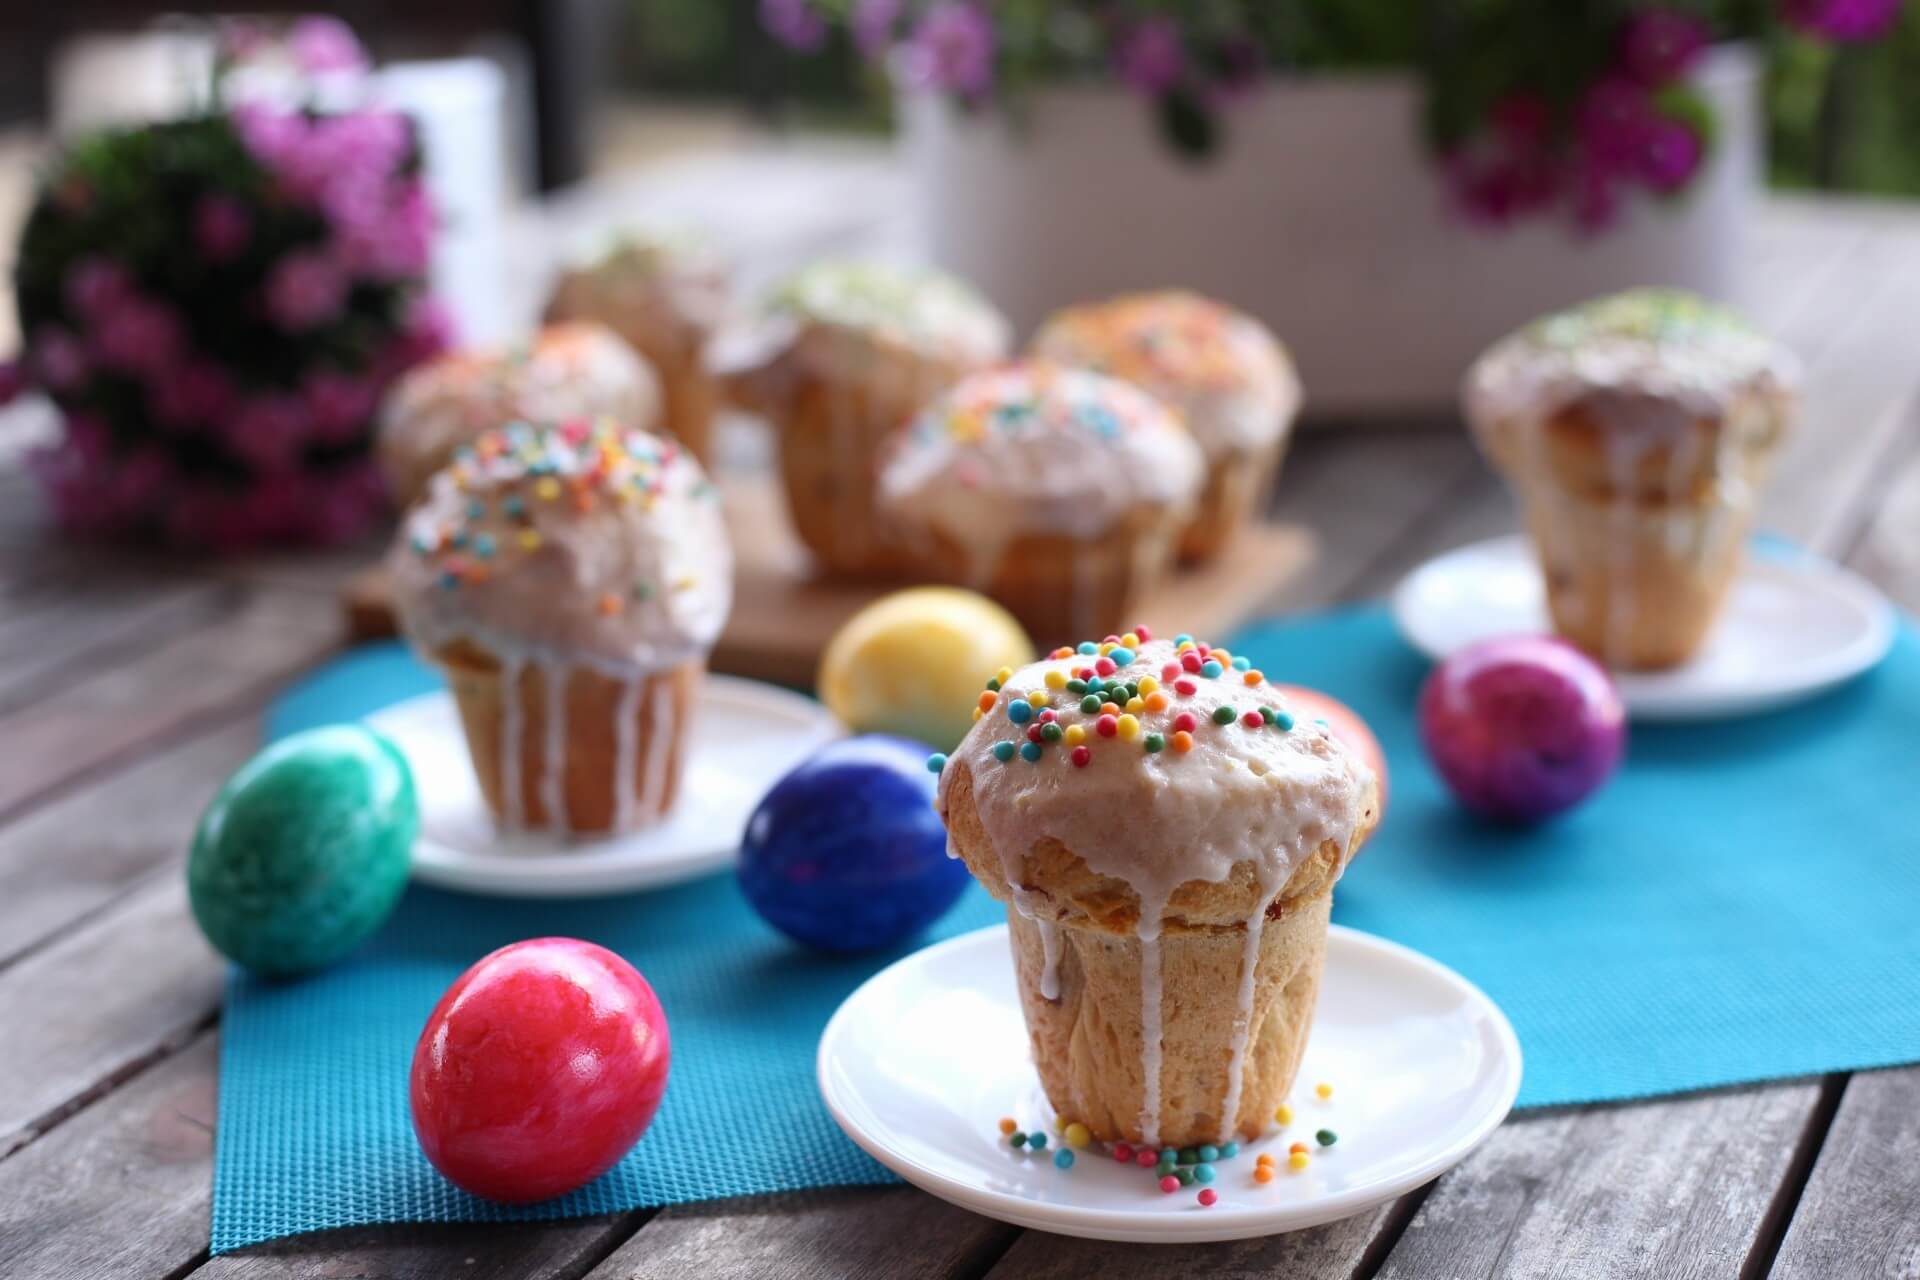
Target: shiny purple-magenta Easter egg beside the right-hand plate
{"type": "Point", "coordinates": [1524, 726]}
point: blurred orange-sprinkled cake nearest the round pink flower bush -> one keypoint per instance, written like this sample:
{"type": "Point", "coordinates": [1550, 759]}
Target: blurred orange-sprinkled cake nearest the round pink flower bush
{"type": "Point", "coordinates": [565, 371]}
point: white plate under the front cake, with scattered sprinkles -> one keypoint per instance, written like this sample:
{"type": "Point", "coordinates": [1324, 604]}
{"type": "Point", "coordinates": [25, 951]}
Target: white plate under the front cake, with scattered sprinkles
{"type": "Point", "coordinates": [923, 1062]}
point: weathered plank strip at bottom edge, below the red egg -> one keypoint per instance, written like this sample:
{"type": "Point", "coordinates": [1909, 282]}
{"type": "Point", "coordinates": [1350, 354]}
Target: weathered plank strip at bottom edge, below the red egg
{"type": "Point", "coordinates": [431, 1252]}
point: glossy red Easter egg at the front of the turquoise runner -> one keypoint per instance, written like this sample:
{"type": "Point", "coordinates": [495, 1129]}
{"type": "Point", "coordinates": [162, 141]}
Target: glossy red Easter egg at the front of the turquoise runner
{"type": "Point", "coordinates": [539, 1070]}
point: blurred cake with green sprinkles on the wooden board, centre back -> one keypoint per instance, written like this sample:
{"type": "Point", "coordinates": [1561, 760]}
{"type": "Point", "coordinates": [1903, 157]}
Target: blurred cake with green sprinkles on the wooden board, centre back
{"type": "Point", "coordinates": [850, 352]}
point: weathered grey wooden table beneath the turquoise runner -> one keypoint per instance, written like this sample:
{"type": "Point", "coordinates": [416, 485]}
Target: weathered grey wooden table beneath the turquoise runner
{"type": "Point", "coordinates": [130, 688]}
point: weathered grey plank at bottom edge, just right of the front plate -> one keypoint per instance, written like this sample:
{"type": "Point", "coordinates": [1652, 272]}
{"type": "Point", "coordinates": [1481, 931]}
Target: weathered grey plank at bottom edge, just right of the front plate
{"type": "Point", "coordinates": [1664, 1189]}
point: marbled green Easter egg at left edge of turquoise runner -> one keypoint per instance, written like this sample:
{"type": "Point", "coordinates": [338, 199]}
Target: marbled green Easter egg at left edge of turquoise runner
{"type": "Point", "coordinates": [304, 851]}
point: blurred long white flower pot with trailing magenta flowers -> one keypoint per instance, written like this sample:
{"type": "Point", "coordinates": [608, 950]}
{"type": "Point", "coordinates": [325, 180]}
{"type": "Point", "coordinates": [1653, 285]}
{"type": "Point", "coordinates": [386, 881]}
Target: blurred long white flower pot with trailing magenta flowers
{"type": "Point", "coordinates": [1322, 214]}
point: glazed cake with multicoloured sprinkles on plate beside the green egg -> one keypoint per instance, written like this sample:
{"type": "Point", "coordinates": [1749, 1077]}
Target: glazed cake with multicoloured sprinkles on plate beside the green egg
{"type": "Point", "coordinates": [571, 582]}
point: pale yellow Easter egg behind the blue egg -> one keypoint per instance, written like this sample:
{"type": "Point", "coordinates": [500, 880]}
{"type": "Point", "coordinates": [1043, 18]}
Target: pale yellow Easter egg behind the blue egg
{"type": "Point", "coordinates": [913, 663]}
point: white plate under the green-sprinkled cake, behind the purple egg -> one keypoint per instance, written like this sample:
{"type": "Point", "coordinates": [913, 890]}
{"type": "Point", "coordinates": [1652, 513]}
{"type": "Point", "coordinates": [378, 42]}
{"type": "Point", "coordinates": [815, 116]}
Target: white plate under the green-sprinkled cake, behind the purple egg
{"type": "Point", "coordinates": [1794, 627]}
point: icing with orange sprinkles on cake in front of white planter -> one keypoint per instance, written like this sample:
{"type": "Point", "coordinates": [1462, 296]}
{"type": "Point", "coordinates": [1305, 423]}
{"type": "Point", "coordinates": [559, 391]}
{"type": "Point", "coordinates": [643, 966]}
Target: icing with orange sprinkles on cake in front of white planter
{"type": "Point", "coordinates": [1222, 369]}
